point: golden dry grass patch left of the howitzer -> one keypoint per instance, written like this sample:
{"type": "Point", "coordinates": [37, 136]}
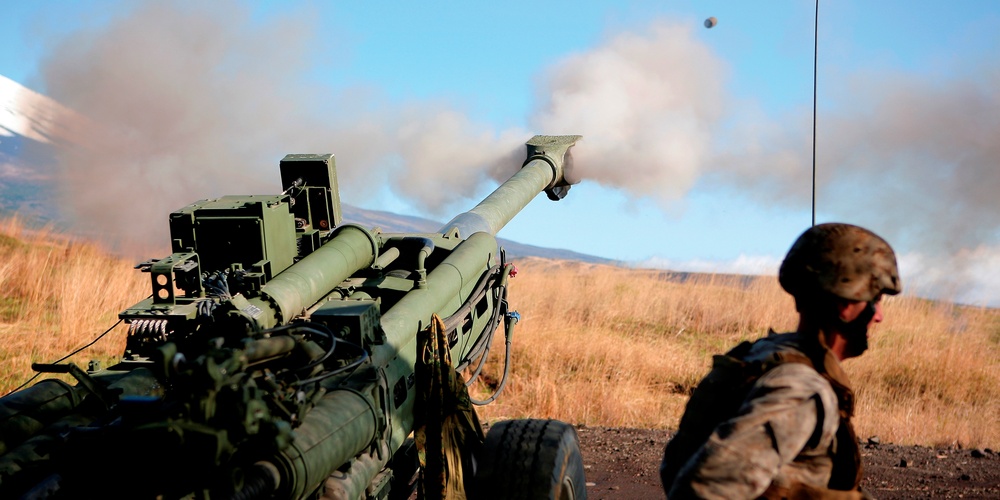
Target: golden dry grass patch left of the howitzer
{"type": "Point", "coordinates": [57, 295]}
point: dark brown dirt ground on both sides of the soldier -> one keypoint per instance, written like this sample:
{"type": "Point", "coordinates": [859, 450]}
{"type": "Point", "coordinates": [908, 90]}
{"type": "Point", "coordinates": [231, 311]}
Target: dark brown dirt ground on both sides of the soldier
{"type": "Point", "coordinates": [624, 463]}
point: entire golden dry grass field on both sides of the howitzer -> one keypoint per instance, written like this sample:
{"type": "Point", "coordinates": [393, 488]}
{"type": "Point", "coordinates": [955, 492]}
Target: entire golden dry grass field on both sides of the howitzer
{"type": "Point", "coordinates": [597, 345]}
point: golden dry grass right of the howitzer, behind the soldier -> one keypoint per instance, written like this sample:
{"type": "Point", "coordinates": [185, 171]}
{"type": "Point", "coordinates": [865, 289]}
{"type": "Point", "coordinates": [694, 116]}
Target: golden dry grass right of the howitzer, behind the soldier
{"type": "Point", "coordinates": [608, 346]}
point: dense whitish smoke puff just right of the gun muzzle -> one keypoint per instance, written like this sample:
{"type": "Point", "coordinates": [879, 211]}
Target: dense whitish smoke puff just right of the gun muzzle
{"type": "Point", "coordinates": [647, 105]}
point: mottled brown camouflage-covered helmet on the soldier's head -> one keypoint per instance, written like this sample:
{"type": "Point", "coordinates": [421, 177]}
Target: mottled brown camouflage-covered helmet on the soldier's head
{"type": "Point", "coordinates": [848, 261]}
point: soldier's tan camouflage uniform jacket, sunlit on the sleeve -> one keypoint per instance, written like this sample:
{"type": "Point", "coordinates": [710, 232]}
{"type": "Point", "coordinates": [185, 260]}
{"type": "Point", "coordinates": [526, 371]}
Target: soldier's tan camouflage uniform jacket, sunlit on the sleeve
{"type": "Point", "coordinates": [792, 436]}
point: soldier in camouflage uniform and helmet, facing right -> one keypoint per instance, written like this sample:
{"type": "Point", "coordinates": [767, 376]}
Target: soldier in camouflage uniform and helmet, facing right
{"type": "Point", "coordinates": [773, 418]}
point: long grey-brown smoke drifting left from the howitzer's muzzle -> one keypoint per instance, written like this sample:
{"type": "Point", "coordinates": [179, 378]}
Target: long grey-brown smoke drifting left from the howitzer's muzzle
{"type": "Point", "coordinates": [197, 100]}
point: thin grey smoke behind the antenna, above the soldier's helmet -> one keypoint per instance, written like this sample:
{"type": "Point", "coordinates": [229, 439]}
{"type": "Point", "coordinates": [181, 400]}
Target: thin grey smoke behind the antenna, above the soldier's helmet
{"type": "Point", "coordinates": [913, 157]}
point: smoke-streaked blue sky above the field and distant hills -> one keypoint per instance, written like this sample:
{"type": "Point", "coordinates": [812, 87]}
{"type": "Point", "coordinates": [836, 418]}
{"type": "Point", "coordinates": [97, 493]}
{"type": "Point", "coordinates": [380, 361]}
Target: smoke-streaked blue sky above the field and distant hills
{"type": "Point", "coordinates": [727, 186]}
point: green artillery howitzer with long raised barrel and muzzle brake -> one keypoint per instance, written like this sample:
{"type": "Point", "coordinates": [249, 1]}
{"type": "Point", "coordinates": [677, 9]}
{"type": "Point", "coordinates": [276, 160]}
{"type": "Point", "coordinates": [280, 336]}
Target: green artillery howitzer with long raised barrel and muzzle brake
{"type": "Point", "coordinates": [275, 357]}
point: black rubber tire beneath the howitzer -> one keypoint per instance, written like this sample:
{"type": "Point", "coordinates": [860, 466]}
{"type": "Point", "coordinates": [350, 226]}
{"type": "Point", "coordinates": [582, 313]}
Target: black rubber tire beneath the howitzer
{"type": "Point", "coordinates": [531, 459]}
